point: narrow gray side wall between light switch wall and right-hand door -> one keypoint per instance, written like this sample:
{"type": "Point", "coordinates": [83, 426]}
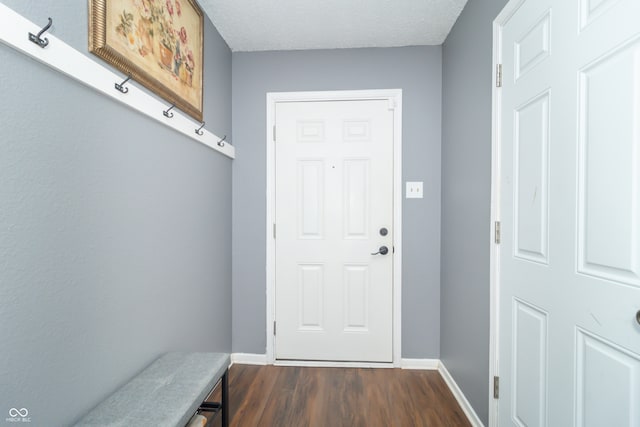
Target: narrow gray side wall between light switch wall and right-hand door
{"type": "Point", "coordinates": [466, 192]}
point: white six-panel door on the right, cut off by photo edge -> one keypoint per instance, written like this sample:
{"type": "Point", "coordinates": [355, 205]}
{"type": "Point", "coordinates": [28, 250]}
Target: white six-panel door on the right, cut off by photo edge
{"type": "Point", "coordinates": [569, 350]}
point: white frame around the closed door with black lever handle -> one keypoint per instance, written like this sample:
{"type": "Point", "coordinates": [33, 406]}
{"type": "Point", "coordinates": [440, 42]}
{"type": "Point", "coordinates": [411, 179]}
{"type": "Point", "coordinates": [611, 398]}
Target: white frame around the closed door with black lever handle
{"type": "Point", "coordinates": [394, 97]}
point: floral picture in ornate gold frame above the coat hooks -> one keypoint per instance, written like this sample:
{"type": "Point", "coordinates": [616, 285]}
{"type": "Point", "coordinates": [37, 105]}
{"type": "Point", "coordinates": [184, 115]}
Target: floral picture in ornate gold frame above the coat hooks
{"type": "Point", "coordinates": [158, 42]}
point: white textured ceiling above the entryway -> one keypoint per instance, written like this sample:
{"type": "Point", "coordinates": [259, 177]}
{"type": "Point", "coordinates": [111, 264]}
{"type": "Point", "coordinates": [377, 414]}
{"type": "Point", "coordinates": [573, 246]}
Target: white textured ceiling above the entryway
{"type": "Point", "coordinates": [253, 25]}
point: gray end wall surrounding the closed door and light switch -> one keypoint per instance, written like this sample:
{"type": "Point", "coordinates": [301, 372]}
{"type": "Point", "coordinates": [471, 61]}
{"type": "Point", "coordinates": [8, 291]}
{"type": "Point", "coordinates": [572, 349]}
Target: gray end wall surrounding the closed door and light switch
{"type": "Point", "coordinates": [416, 70]}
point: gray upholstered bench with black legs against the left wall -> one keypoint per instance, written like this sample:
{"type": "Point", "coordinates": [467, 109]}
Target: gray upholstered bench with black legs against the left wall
{"type": "Point", "coordinates": [167, 393]}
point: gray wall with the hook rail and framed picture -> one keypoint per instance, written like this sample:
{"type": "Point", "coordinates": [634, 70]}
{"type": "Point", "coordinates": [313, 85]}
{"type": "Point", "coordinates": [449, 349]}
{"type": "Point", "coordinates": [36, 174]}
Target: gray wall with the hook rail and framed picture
{"type": "Point", "coordinates": [115, 232]}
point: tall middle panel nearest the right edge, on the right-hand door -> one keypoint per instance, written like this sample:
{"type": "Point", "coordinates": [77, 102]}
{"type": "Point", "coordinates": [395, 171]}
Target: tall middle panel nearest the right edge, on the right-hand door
{"type": "Point", "coordinates": [609, 161]}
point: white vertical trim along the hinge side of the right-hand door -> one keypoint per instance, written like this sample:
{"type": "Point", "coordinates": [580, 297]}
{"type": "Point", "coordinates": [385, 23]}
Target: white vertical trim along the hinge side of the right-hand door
{"type": "Point", "coordinates": [494, 270]}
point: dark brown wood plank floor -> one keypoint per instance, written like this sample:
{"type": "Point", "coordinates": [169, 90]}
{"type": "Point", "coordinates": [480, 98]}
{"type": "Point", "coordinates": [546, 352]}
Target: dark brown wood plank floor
{"type": "Point", "coordinates": [268, 396]}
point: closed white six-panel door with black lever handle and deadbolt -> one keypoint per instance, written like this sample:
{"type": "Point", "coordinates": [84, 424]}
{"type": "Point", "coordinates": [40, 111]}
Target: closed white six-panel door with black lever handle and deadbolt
{"type": "Point", "coordinates": [334, 213]}
